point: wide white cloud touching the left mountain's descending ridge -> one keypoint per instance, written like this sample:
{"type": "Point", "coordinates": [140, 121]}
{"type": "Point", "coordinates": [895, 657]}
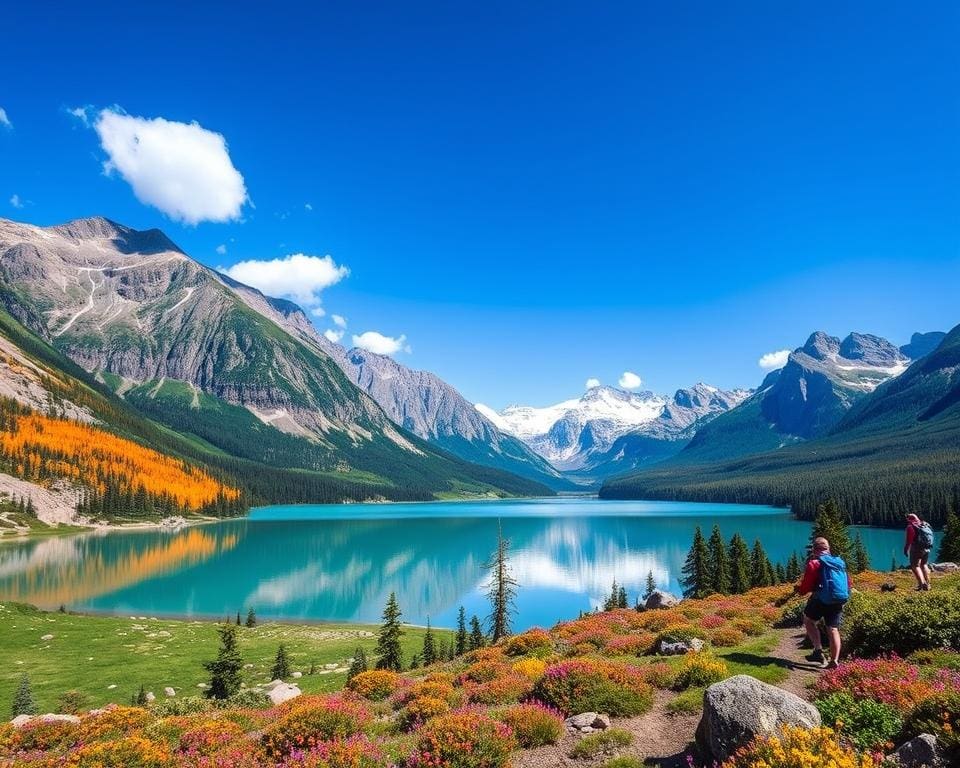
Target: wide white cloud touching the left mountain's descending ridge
{"type": "Point", "coordinates": [298, 276]}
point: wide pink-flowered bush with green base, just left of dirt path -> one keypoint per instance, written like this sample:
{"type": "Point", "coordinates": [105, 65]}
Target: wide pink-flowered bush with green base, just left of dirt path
{"type": "Point", "coordinates": [580, 685]}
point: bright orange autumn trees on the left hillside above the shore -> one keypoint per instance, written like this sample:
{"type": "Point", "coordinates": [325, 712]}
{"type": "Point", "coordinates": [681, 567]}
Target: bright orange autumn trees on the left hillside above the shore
{"type": "Point", "coordinates": [121, 476]}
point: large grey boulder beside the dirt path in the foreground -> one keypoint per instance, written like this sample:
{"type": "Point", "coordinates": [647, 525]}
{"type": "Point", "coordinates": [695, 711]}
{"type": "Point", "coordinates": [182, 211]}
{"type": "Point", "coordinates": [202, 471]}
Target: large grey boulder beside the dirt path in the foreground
{"type": "Point", "coordinates": [741, 707]}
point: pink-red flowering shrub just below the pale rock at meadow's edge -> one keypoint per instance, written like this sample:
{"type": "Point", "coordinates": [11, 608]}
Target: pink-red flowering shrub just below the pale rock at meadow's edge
{"type": "Point", "coordinates": [311, 720]}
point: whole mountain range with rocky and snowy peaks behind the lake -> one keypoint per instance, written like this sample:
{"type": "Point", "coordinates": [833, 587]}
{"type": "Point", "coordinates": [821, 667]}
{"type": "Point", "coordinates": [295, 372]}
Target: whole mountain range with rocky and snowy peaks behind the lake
{"type": "Point", "coordinates": [123, 330]}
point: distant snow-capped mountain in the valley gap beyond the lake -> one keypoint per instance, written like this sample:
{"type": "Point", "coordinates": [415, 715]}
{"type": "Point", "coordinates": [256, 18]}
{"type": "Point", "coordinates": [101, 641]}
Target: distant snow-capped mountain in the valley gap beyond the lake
{"type": "Point", "coordinates": [597, 434]}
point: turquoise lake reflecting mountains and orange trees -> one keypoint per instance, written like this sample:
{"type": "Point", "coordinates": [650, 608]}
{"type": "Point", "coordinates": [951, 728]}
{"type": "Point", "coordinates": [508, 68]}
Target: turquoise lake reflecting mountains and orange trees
{"type": "Point", "coordinates": [340, 562]}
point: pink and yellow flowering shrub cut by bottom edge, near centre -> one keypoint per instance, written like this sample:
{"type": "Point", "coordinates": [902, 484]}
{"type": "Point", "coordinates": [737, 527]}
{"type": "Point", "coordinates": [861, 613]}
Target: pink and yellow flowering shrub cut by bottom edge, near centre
{"type": "Point", "coordinates": [464, 739]}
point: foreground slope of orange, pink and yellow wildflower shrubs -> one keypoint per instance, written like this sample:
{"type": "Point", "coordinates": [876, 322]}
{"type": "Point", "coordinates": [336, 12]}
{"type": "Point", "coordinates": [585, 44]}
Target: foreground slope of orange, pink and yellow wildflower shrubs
{"type": "Point", "coordinates": [481, 709]}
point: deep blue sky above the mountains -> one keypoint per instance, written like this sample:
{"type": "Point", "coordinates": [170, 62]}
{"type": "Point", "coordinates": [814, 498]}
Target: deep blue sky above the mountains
{"type": "Point", "coordinates": [531, 194]}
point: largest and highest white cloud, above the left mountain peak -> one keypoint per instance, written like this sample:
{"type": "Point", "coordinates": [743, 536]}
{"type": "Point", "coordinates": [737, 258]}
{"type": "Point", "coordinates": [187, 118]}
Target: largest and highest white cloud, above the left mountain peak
{"type": "Point", "coordinates": [181, 168]}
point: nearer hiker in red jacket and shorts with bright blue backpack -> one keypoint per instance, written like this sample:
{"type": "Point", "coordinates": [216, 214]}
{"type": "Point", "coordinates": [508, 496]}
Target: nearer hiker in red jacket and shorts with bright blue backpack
{"type": "Point", "coordinates": [827, 582]}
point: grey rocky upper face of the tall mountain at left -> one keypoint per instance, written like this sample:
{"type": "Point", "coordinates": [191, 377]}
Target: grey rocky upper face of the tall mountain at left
{"type": "Point", "coordinates": [132, 304]}
